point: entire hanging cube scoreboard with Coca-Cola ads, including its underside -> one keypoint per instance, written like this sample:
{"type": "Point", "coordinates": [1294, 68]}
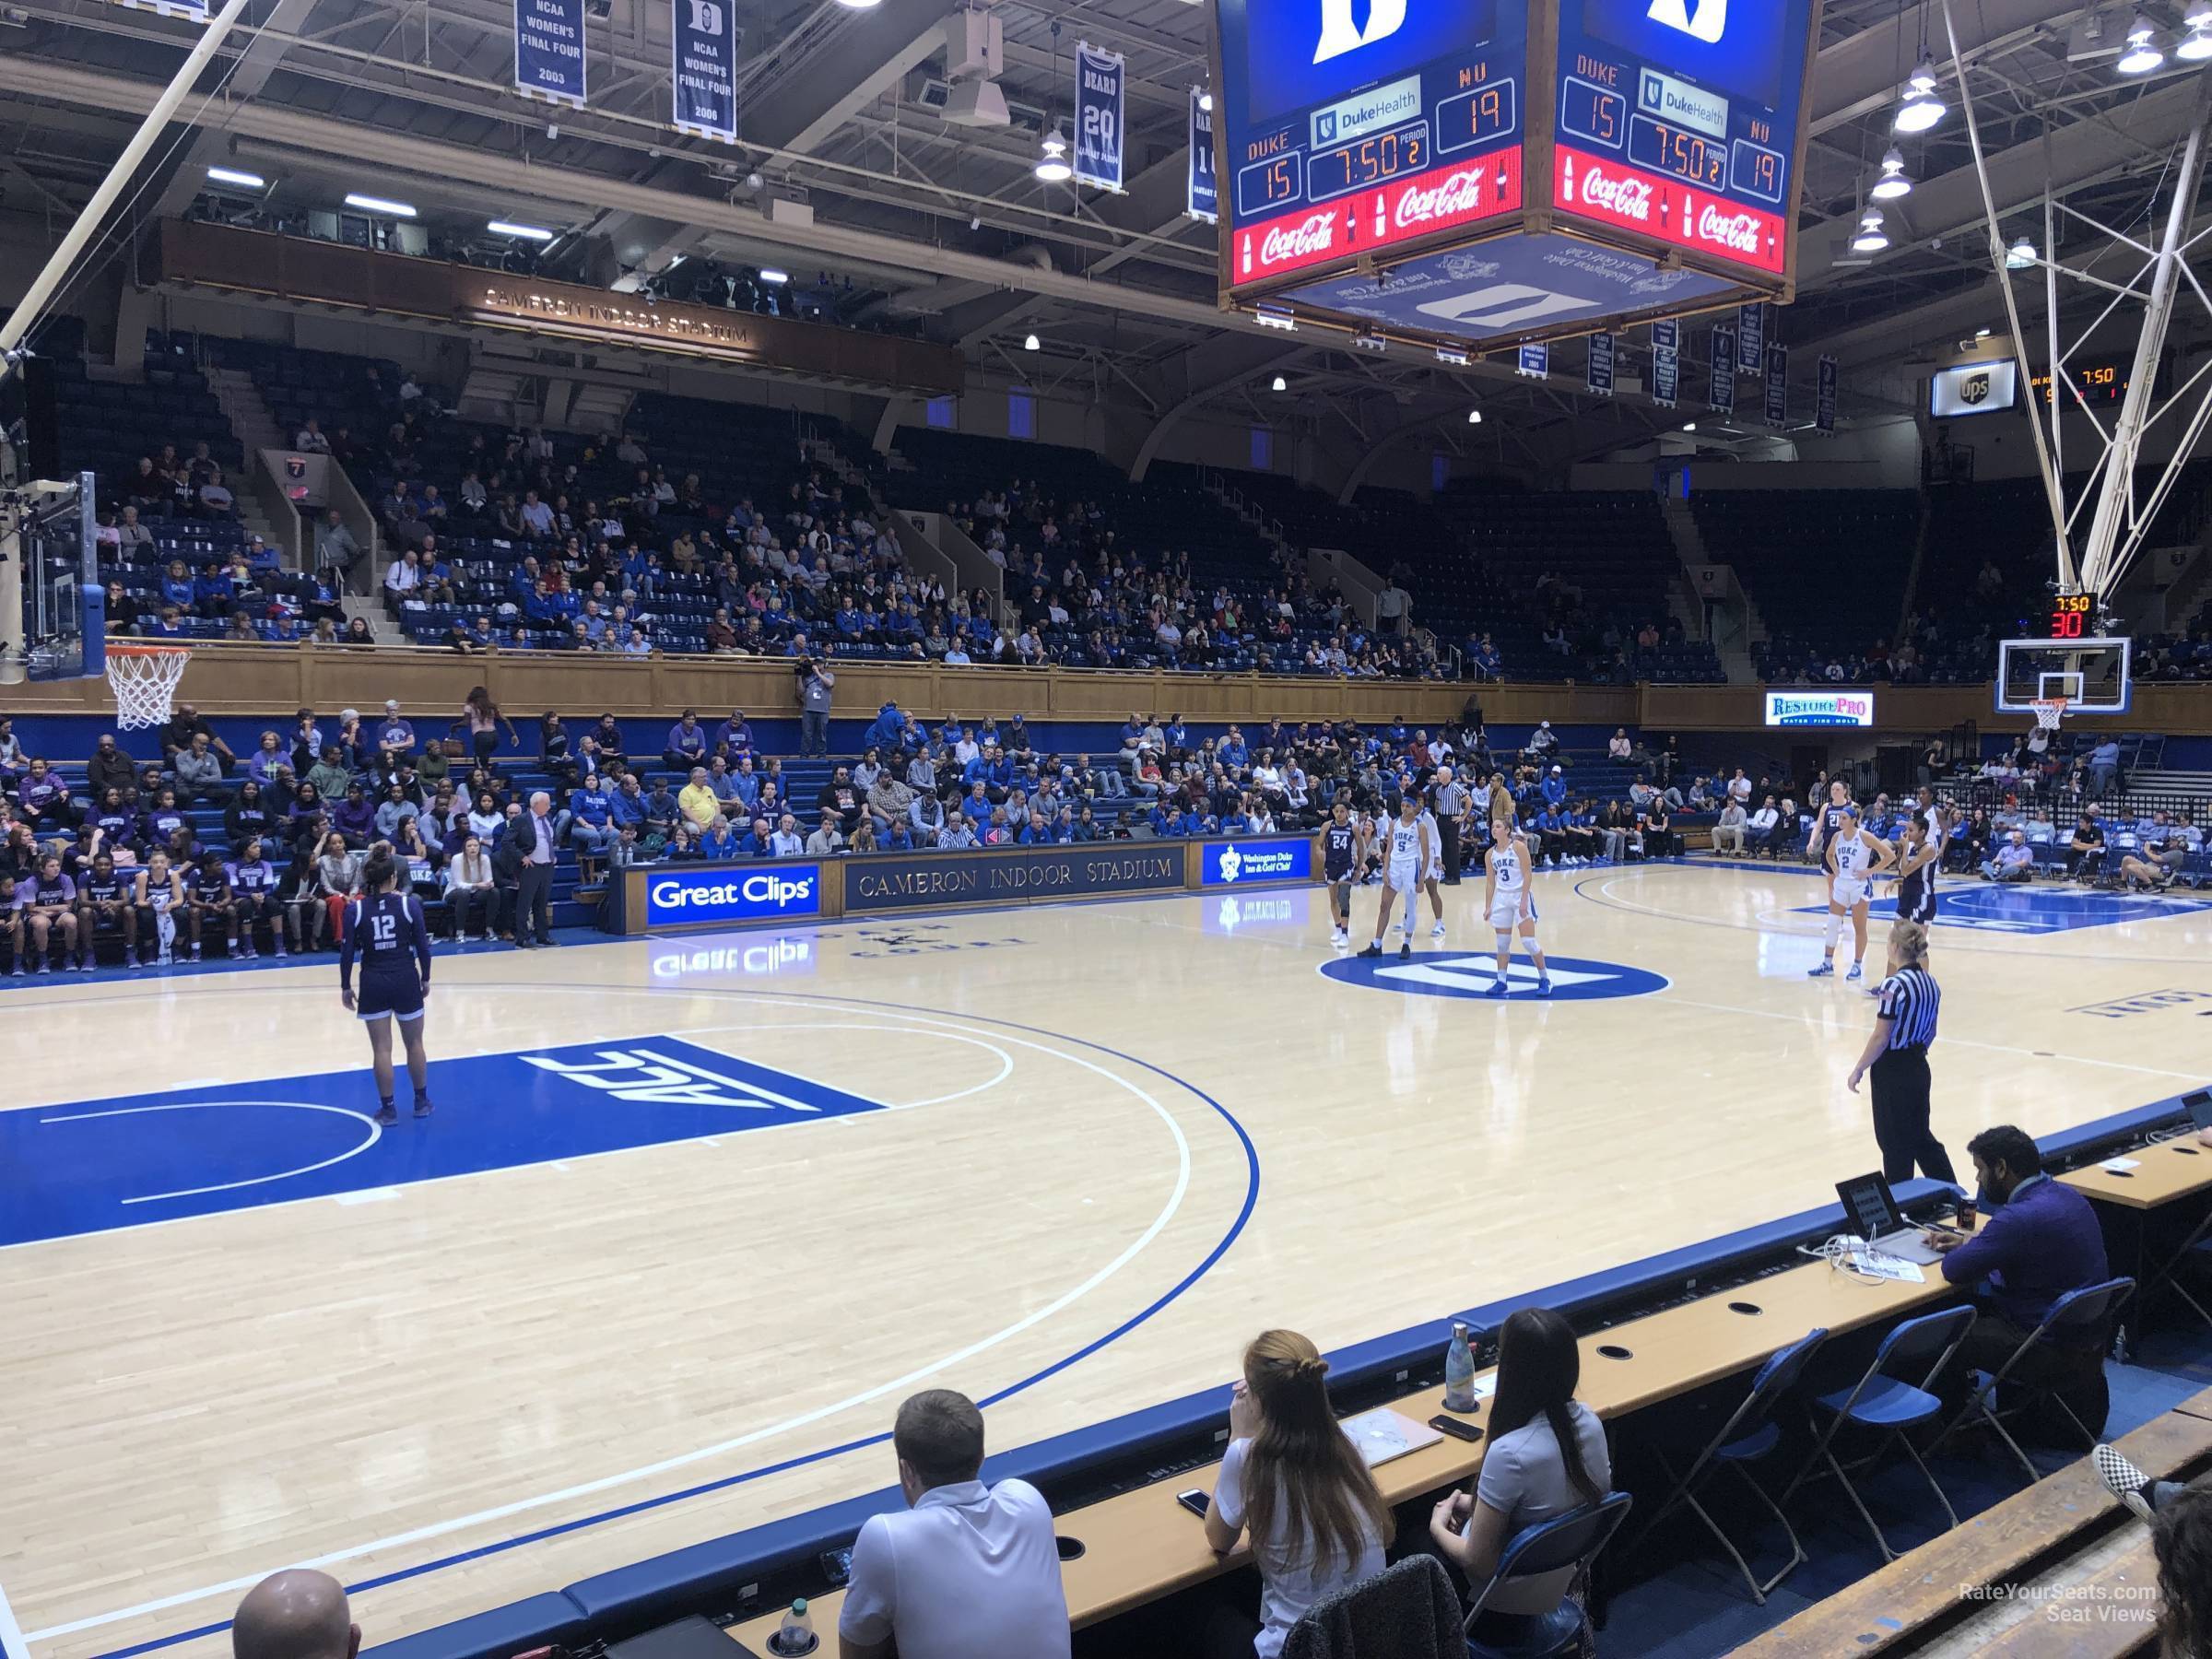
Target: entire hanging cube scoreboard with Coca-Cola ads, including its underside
{"type": "Point", "coordinates": [1642, 152]}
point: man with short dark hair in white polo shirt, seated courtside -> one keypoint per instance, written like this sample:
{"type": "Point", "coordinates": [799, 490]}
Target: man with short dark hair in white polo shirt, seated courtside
{"type": "Point", "coordinates": [968, 1572]}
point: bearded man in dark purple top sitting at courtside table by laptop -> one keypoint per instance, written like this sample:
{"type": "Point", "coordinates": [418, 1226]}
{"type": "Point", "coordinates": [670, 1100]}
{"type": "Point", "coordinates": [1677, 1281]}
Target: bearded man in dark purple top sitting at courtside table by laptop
{"type": "Point", "coordinates": [2038, 1240]}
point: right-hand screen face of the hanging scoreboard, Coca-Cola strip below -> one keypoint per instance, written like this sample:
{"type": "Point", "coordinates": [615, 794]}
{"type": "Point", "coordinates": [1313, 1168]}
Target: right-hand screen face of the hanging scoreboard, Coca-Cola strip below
{"type": "Point", "coordinates": [1680, 121]}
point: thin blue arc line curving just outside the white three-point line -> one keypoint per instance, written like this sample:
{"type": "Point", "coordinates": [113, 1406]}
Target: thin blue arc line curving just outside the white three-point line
{"type": "Point", "coordinates": [660, 1501]}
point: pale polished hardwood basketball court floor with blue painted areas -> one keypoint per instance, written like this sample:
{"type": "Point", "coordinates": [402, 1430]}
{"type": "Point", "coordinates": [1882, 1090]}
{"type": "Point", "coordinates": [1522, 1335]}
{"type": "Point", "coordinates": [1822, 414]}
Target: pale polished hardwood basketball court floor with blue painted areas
{"type": "Point", "coordinates": [1131, 1136]}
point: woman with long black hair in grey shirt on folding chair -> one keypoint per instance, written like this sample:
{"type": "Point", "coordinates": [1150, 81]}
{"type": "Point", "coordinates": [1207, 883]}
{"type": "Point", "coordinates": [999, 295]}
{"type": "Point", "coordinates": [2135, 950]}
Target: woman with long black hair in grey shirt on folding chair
{"type": "Point", "coordinates": [1547, 1457]}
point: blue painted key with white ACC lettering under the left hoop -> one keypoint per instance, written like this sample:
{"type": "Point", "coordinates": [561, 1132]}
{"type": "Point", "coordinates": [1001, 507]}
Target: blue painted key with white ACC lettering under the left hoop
{"type": "Point", "coordinates": [132, 1160]}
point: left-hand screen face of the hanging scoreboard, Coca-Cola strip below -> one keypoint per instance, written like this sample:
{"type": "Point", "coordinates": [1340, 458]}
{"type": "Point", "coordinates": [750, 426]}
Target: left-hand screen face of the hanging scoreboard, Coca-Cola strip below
{"type": "Point", "coordinates": [1348, 132]}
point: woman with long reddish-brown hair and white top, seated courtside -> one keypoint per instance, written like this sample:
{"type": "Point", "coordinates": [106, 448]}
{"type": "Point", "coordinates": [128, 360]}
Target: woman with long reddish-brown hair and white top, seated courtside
{"type": "Point", "coordinates": [1297, 1485]}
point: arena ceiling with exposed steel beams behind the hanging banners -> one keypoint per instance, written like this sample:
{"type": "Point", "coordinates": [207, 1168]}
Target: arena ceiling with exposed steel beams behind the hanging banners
{"type": "Point", "coordinates": [946, 231]}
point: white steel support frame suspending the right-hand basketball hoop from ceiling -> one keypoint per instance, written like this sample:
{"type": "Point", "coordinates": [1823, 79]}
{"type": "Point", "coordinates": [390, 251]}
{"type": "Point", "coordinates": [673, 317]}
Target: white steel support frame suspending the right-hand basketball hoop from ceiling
{"type": "Point", "coordinates": [2094, 559]}
